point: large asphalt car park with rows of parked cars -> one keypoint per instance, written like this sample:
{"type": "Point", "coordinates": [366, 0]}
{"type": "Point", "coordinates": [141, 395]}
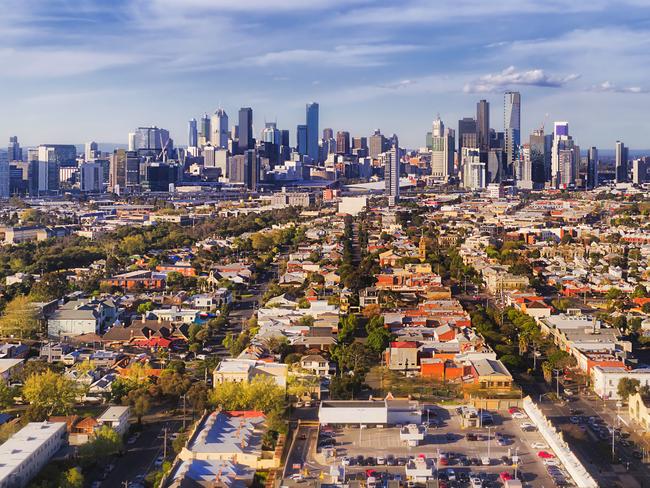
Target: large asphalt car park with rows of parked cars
{"type": "Point", "coordinates": [448, 445]}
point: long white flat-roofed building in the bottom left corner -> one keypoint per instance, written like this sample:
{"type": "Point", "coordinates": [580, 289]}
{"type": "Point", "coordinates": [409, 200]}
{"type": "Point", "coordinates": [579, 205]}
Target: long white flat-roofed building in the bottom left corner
{"type": "Point", "coordinates": [28, 450]}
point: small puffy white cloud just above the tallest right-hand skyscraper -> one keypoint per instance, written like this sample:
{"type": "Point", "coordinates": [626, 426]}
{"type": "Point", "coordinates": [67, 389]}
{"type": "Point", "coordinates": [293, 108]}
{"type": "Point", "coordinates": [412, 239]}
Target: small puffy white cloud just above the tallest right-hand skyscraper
{"type": "Point", "coordinates": [510, 77]}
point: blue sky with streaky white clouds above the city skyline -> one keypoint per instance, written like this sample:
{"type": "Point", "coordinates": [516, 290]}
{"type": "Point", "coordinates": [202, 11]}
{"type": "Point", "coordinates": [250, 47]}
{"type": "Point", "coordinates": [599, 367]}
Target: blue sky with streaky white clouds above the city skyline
{"type": "Point", "coordinates": [78, 70]}
